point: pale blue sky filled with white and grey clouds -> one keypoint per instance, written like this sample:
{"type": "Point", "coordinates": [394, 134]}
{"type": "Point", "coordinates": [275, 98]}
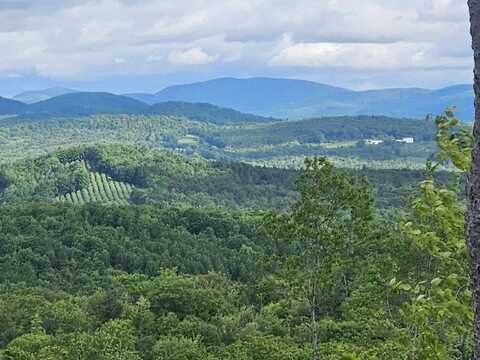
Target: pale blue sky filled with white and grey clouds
{"type": "Point", "coordinates": [144, 45]}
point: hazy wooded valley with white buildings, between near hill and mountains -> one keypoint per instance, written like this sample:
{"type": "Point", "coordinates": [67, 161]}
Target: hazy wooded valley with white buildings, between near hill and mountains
{"type": "Point", "coordinates": [273, 144]}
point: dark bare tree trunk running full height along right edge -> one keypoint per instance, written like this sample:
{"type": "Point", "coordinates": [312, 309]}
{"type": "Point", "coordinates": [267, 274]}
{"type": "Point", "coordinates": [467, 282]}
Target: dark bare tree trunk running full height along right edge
{"type": "Point", "coordinates": [472, 219]}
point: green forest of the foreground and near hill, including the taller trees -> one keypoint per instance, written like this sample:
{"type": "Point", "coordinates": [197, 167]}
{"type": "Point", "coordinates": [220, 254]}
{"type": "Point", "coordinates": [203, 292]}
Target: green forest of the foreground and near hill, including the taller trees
{"type": "Point", "coordinates": [127, 252]}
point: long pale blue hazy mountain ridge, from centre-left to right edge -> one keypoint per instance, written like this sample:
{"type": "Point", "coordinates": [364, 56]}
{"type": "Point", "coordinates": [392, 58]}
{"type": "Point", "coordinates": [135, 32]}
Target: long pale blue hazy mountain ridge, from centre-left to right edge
{"type": "Point", "coordinates": [286, 98]}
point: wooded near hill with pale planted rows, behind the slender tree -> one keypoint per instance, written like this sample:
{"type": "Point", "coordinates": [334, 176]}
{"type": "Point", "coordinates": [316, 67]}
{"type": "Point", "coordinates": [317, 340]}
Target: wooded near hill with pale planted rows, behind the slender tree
{"type": "Point", "coordinates": [122, 175]}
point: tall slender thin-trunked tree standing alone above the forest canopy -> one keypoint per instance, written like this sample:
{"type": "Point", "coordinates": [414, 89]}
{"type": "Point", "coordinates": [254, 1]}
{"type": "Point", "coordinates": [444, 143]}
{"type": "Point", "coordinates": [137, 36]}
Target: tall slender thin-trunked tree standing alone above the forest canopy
{"type": "Point", "coordinates": [327, 224]}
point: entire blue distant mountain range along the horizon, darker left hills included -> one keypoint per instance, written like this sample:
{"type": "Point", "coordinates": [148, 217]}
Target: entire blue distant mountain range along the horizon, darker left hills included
{"type": "Point", "coordinates": [264, 97]}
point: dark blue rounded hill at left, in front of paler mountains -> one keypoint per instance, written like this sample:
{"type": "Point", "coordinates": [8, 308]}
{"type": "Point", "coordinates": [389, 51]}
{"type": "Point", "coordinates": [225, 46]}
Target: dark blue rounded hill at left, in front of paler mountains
{"type": "Point", "coordinates": [86, 103]}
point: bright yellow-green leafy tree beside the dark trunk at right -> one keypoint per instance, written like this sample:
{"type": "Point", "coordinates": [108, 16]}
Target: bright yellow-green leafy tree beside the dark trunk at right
{"type": "Point", "coordinates": [437, 317]}
